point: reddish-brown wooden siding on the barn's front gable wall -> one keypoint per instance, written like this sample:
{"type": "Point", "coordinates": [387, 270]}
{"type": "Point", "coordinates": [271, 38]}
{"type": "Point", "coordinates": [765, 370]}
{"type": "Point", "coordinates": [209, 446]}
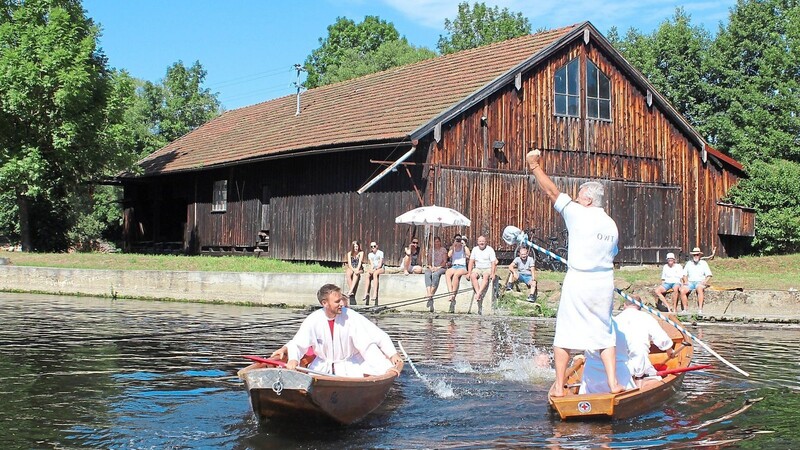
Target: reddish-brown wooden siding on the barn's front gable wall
{"type": "Point", "coordinates": [660, 192]}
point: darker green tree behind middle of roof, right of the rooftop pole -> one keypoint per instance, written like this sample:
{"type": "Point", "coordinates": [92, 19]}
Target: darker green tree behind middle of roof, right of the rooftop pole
{"type": "Point", "coordinates": [346, 39]}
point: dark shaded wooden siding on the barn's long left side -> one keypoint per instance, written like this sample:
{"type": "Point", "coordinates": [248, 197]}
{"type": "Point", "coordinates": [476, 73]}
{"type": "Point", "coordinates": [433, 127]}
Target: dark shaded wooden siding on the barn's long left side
{"type": "Point", "coordinates": [310, 203]}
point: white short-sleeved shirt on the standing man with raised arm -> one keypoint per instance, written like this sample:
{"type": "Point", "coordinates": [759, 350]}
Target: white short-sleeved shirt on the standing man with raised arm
{"type": "Point", "coordinates": [593, 235]}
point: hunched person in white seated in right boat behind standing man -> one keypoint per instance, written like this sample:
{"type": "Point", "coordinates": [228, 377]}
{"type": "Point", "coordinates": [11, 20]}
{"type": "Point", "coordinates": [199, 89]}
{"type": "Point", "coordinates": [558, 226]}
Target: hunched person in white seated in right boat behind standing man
{"type": "Point", "coordinates": [639, 329]}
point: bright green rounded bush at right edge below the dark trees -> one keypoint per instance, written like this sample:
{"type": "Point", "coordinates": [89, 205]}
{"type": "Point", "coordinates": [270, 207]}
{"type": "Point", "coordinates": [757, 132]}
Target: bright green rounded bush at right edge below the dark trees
{"type": "Point", "coordinates": [773, 189]}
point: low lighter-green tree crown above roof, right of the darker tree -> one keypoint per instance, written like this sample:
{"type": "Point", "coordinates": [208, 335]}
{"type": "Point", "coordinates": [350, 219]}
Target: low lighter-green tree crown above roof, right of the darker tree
{"type": "Point", "coordinates": [389, 54]}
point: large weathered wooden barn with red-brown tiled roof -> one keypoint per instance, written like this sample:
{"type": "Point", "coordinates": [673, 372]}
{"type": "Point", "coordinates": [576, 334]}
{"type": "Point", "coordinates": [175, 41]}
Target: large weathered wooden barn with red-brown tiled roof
{"type": "Point", "coordinates": [299, 178]}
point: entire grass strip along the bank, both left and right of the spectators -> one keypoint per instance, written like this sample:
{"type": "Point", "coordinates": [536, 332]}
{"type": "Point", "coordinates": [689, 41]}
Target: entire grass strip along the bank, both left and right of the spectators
{"type": "Point", "coordinates": [765, 272]}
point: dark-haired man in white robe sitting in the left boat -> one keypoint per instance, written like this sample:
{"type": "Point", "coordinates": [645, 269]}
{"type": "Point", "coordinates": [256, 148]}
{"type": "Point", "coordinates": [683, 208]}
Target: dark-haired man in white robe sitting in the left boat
{"type": "Point", "coordinates": [345, 342]}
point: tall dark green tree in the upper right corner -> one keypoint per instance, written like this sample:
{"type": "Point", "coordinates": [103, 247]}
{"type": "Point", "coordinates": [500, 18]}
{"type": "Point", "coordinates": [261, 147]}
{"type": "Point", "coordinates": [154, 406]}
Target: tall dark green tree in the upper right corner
{"type": "Point", "coordinates": [754, 76]}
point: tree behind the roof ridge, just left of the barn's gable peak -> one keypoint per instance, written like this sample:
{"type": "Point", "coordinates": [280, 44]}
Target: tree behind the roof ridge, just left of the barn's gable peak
{"type": "Point", "coordinates": [481, 25]}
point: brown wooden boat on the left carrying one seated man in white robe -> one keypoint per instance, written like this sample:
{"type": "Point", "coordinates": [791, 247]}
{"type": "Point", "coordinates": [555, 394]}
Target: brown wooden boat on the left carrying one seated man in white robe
{"type": "Point", "coordinates": [279, 394]}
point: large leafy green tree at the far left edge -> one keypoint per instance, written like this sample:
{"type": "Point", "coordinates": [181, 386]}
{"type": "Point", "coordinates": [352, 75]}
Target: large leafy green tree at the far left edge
{"type": "Point", "coordinates": [53, 90]}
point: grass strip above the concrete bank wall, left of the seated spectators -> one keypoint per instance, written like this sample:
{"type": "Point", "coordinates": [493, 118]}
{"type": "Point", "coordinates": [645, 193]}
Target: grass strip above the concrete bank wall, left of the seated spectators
{"type": "Point", "coordinates": [131, 261]}
